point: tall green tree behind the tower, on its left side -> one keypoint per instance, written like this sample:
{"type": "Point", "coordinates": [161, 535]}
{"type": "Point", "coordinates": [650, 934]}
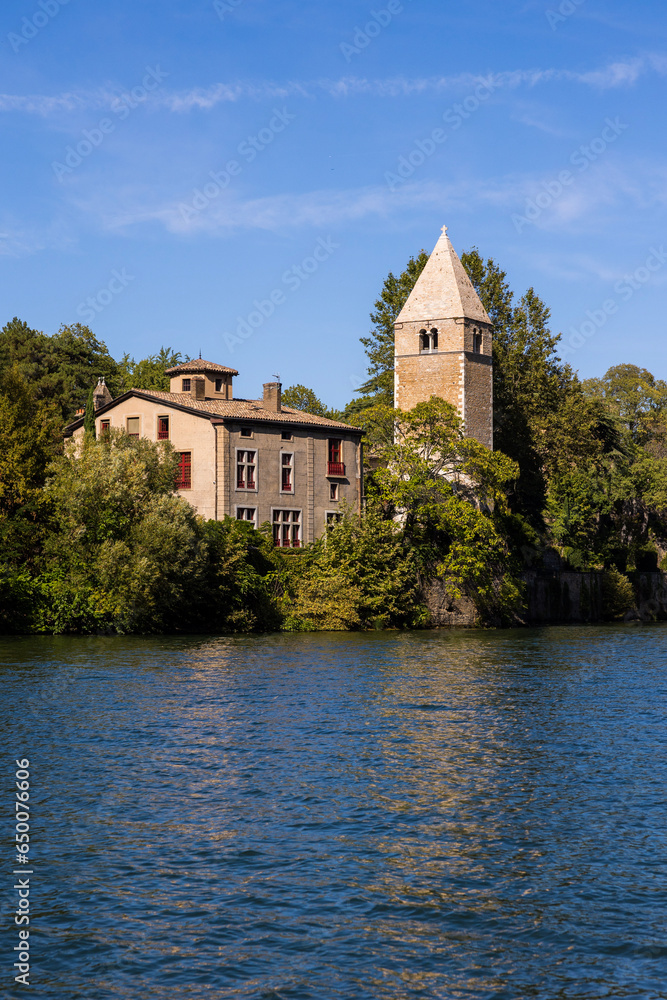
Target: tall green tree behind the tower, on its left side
{"type": "Point", "coordinates": [380, 344]}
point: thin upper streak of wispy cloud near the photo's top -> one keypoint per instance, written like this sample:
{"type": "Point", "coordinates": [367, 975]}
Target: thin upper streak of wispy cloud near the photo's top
{"type": "Point", "coordinates": [620, 73]}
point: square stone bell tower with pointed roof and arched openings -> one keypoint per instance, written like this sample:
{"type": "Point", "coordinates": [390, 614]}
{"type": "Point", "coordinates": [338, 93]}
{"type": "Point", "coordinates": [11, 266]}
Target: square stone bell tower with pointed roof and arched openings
{"type": "Point", "coordinates": [443, 344]}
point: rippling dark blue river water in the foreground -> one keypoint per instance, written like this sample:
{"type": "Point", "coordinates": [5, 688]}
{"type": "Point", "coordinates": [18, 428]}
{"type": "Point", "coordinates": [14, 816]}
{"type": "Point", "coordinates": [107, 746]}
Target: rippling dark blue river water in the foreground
{"type": "Point", "coordinates": [341, 817]}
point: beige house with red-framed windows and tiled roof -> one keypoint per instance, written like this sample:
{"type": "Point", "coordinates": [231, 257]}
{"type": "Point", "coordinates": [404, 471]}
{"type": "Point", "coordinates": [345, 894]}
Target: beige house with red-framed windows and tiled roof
{"type": "Point", "coordinates": [251, 459]}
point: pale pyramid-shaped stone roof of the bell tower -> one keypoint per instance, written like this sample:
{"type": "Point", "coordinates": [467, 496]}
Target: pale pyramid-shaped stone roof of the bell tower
{"type": "Point", "coordinates": [443, 290]}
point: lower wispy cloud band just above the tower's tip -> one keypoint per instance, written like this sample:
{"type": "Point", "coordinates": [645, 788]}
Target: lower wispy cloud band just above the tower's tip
{"type": "Point", "coordinates": [604, 189]}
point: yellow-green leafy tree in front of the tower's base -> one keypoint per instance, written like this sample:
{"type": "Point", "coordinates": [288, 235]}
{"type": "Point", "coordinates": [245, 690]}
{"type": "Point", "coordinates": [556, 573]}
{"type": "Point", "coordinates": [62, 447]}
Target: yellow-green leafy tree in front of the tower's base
{"type": "Point", "coordinates": [449, 493]}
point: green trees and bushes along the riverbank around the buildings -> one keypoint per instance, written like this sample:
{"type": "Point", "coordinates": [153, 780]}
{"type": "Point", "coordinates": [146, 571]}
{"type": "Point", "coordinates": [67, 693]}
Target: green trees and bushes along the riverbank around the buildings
{"type": "Point", "coordinates": [99, 541]}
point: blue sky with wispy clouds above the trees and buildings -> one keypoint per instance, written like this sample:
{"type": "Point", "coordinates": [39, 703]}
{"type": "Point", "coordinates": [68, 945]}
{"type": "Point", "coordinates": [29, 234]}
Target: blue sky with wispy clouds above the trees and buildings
{"type": "Point", "coordinates": [225, 176]}
